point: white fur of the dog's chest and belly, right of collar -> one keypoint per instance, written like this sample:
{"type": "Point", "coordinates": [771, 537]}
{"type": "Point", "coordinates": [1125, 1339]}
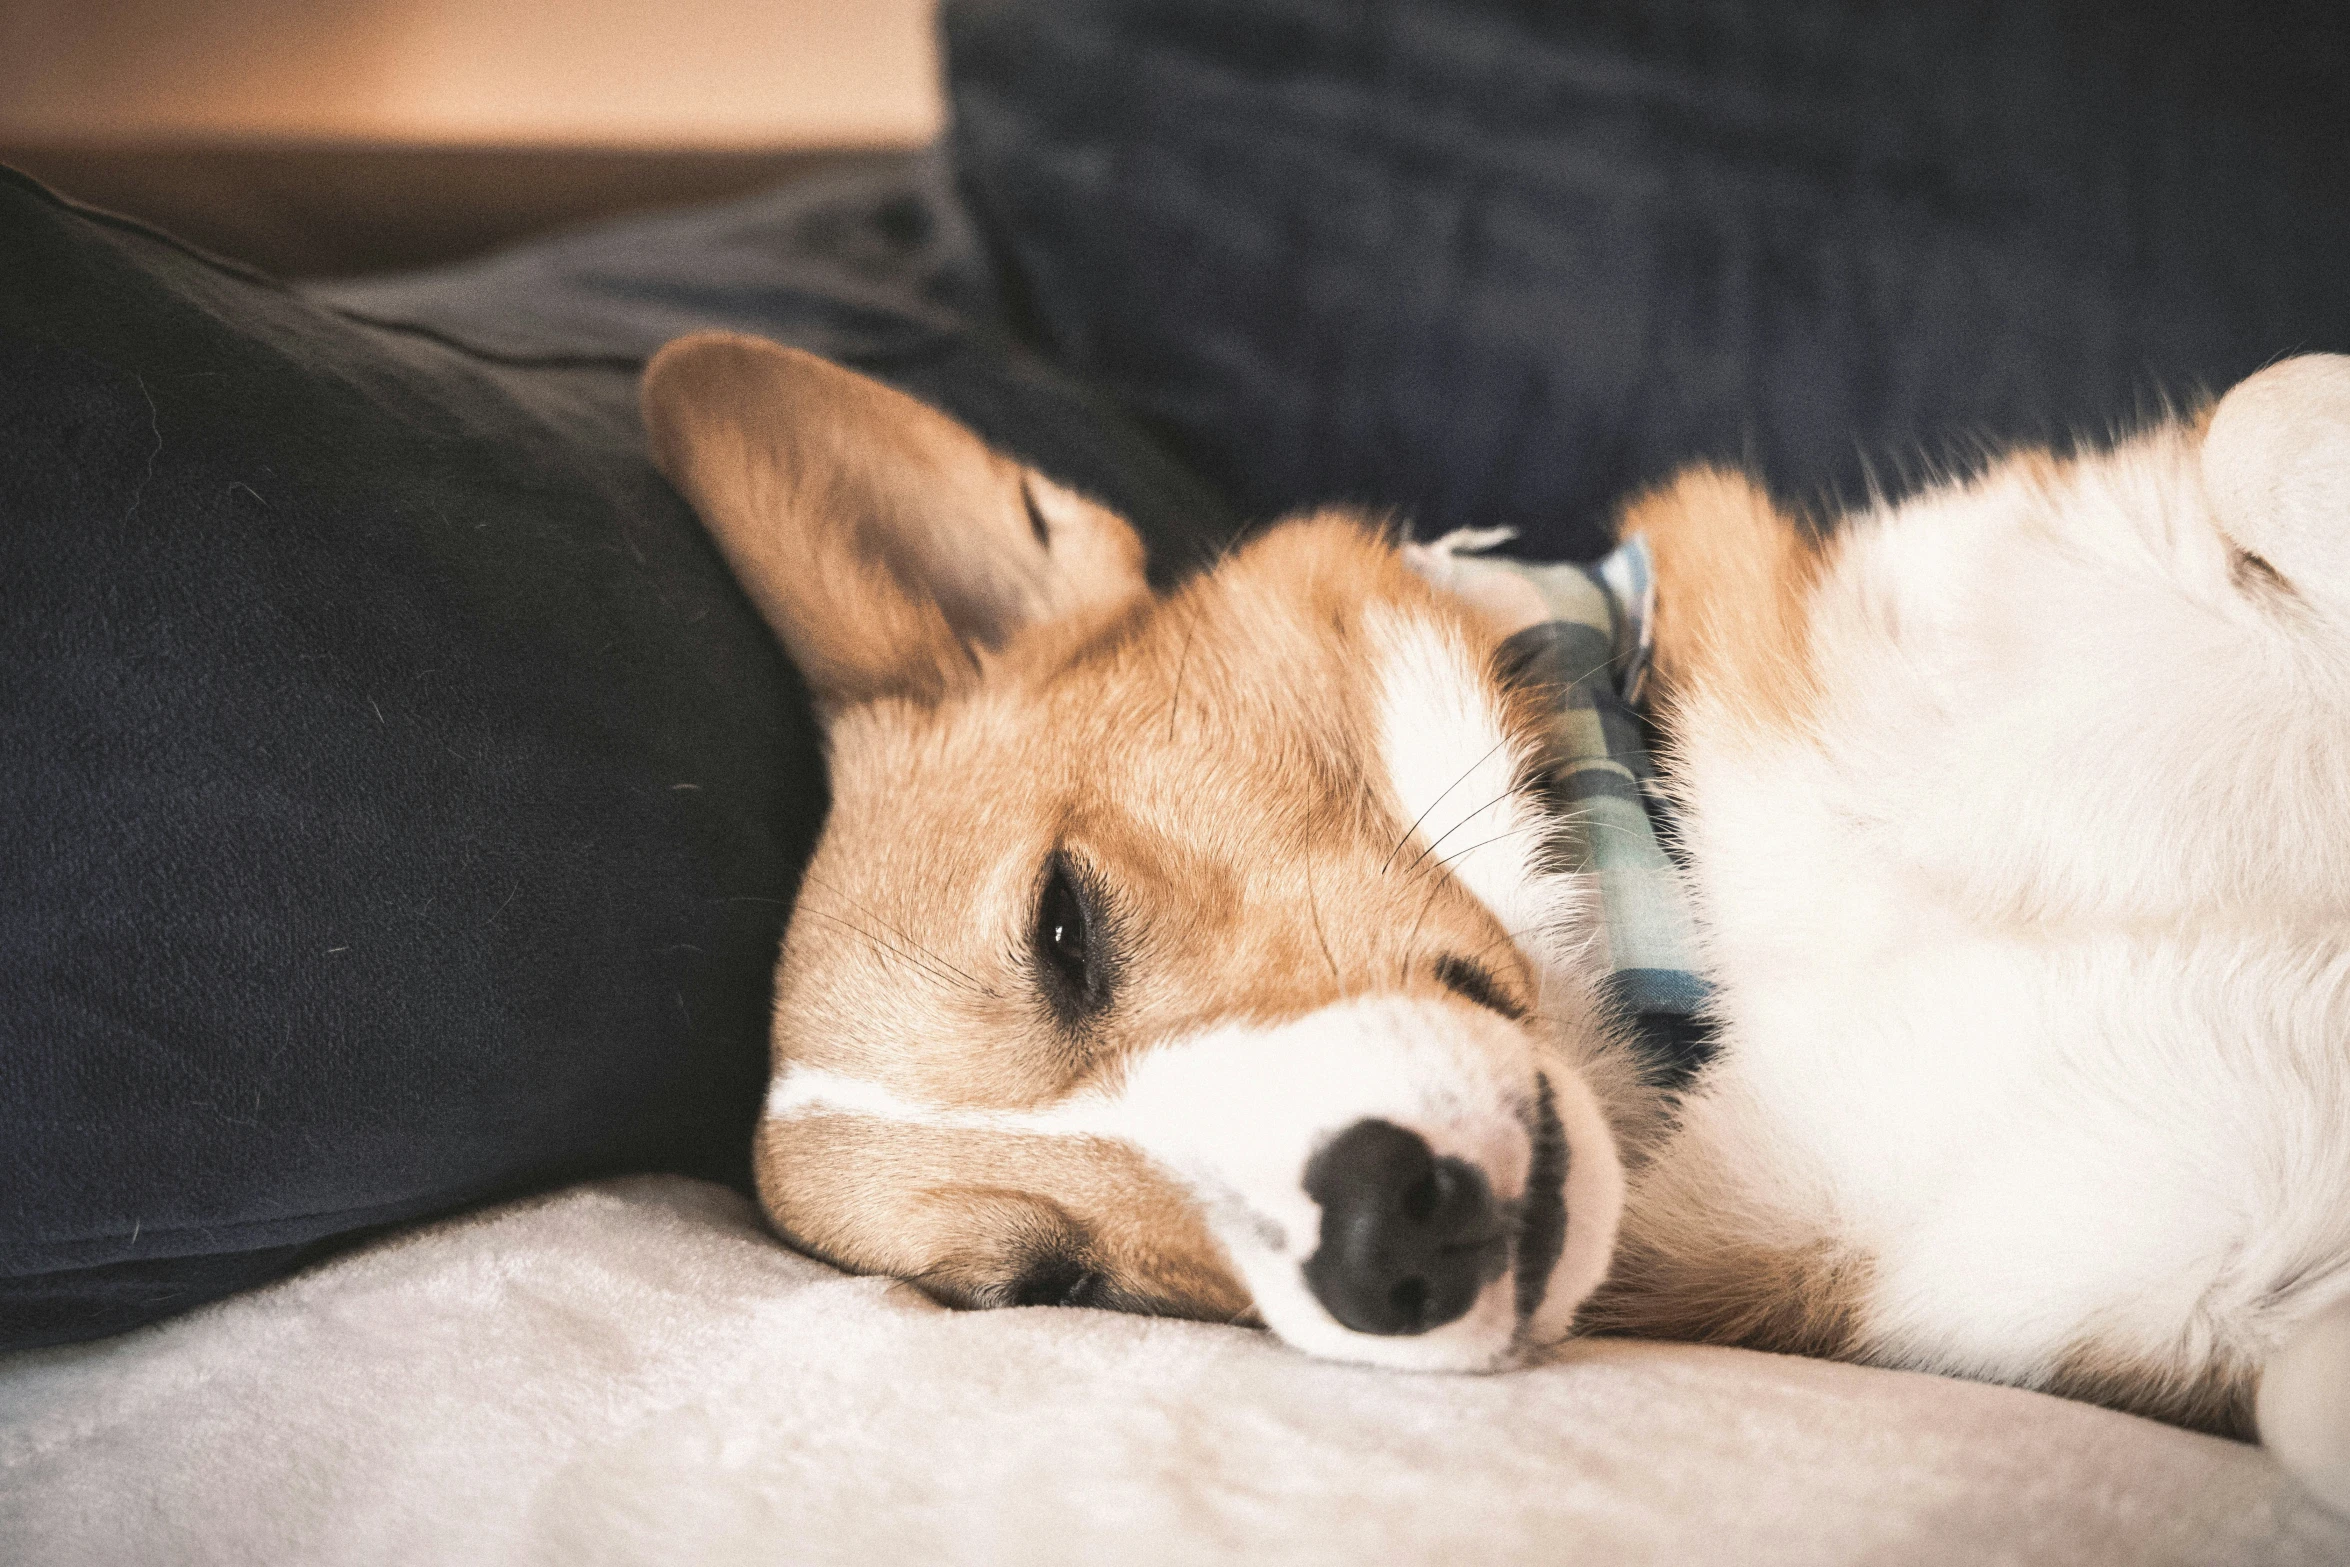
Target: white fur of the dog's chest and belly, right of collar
{"type": "Point", "coordinates": [2034, 943]}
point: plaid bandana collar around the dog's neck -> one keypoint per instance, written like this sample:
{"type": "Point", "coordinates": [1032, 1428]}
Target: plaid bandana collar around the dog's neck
{"type": "Point", "coordinates": [1585, 643]}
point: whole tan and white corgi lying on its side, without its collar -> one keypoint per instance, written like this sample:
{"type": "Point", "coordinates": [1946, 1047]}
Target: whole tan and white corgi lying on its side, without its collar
{"type": "Point", "coordinates": [1211, 953]}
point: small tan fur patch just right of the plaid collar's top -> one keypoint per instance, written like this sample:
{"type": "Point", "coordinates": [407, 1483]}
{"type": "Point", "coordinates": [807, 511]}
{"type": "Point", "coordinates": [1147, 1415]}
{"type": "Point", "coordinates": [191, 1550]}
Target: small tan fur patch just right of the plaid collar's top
{"type": "Point", "coordinates": [1733, 577]}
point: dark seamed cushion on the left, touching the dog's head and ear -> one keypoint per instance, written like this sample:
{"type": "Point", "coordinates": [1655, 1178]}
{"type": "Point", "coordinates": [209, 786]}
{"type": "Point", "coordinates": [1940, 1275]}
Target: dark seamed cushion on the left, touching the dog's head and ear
{"type": "Point", "coordinates": [398, 798]}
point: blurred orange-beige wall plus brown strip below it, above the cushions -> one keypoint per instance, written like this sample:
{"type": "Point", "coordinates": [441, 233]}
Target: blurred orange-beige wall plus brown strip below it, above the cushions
{"type": "Point", "coordinates": [328, 137]}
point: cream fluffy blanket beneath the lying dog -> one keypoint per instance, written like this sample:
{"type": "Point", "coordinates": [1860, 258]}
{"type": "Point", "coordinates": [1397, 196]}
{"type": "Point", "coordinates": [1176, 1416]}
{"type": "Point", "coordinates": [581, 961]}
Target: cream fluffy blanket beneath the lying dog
{"type": "Point", "coordinates": [636, 1373]}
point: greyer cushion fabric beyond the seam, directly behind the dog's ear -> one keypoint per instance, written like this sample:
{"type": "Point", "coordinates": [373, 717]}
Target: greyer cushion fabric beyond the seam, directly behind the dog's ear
{"type": "Point", "coordinates": [873, 267]}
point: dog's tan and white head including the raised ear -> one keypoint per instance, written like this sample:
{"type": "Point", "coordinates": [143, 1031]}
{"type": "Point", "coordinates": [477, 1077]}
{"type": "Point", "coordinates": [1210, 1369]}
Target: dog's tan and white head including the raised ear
{"type": "Point", "coordinates": [1179, 953]}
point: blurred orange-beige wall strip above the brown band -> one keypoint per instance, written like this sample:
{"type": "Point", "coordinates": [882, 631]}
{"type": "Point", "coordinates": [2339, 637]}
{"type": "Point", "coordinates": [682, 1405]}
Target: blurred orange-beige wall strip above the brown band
{"type": "Point", "coordinates": [725, 74]}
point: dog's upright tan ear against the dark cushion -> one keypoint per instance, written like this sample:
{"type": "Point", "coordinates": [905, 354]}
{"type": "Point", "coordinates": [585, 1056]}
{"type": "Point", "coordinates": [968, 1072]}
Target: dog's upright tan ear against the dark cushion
{"type": "Point", "coordinates": [885, 544]}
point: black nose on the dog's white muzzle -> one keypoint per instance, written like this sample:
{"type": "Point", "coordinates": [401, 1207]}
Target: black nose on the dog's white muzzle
{"type": "Point", "coordinates": [1409, 1239]}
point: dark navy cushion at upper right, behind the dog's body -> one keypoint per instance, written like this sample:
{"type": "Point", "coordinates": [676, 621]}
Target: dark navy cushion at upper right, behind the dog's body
{"type": "Point", "coordinates": [1498, 262]}
